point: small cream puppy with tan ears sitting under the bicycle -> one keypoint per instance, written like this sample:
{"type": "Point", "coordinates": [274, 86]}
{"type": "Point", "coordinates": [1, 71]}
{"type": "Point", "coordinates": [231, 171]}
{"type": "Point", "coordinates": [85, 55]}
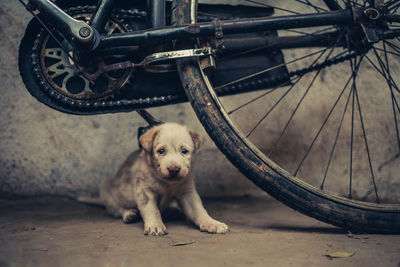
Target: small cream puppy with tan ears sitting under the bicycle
{"type": "Point", "coordinates": [150, 179]}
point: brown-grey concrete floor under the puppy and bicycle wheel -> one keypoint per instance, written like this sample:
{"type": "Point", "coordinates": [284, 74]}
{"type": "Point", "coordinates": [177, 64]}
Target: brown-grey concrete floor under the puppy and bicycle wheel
{"type": "Point", "coordinates": [60, 232]}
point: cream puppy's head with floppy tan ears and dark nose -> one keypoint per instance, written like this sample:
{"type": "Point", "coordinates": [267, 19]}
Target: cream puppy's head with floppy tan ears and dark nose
{"type": "Point", "coordinates": [170, 148]}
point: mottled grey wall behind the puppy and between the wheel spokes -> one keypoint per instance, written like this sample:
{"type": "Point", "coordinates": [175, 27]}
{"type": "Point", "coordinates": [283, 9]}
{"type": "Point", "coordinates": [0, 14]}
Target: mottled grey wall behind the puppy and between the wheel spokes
{"type": "Point", "coordinates": [43, 151]}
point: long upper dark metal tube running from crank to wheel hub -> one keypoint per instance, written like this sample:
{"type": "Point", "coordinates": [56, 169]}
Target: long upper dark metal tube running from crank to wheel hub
{"type": "Point", "coordinates": [155, 36]}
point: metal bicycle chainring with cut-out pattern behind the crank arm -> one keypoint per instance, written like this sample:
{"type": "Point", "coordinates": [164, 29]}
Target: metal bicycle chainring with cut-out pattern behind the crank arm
{"type": "Point", "coordinates": [59, 69]}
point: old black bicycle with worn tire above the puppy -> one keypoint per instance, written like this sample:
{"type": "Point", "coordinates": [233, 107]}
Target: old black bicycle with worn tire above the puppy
{"type": "Point", "coordinates": [101, 59]}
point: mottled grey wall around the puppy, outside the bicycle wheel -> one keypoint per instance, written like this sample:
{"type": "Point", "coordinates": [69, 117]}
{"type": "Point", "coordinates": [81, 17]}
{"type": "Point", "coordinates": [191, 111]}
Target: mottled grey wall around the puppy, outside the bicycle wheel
{"type": "Point", "coordinates": [43, 151]}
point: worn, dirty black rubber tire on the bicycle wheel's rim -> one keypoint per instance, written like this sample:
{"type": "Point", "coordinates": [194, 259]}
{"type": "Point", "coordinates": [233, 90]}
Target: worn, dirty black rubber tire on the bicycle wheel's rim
{"type": "Point", "coordinates": [353, 215]}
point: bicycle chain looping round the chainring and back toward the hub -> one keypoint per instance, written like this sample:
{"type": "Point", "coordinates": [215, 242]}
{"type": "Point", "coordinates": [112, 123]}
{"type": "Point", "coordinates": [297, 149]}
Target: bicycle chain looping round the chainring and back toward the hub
{"type": "Point", "coordinates": [131, 14]}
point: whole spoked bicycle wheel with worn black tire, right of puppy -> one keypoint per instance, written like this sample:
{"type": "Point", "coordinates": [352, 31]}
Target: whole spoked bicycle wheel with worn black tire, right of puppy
{"type": "Point", "coordinates": [350, 133]}
